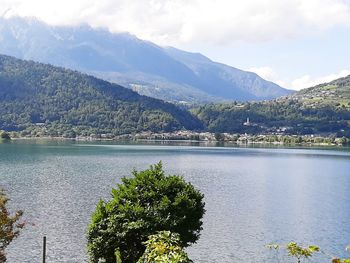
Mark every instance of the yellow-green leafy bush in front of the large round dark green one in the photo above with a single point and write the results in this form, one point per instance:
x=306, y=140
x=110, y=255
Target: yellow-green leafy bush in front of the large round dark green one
x=164, y=247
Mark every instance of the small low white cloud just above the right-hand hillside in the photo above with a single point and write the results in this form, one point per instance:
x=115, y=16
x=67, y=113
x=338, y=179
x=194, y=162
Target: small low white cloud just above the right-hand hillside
x=308, y=81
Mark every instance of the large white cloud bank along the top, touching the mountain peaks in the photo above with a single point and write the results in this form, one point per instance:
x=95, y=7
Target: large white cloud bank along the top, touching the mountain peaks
x=188, y=21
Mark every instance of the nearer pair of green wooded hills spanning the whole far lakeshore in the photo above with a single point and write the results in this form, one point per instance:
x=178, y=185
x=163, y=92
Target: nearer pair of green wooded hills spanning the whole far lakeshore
x=43, y=100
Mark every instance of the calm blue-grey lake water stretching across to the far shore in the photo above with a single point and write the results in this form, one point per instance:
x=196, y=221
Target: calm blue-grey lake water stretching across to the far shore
x=254, y=196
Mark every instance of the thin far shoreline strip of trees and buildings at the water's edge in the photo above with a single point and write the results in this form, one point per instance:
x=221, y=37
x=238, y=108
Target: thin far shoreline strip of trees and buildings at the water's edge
x=207, y=138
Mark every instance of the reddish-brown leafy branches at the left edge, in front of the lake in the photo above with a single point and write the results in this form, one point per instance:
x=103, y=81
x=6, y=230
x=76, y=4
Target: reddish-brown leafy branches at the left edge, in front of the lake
x=9, y=225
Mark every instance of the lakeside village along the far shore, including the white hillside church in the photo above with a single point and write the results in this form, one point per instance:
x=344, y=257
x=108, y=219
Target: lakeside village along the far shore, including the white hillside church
x=274, y=136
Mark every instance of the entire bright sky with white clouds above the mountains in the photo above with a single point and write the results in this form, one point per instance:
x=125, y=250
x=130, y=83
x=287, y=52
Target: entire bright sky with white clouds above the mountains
x=295, y=43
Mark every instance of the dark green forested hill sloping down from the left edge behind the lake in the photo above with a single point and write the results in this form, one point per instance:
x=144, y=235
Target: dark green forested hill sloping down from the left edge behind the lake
x=68, y=103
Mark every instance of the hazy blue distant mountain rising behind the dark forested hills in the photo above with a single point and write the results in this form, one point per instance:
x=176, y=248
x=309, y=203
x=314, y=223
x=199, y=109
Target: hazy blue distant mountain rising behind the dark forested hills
x=161, y=72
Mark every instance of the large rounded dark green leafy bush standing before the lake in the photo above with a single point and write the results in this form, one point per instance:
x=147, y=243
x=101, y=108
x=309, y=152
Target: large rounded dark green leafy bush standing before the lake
x=141, y=206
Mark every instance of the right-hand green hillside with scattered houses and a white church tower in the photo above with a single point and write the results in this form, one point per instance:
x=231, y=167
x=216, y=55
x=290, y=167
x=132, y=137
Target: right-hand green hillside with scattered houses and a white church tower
x=323, y=109
